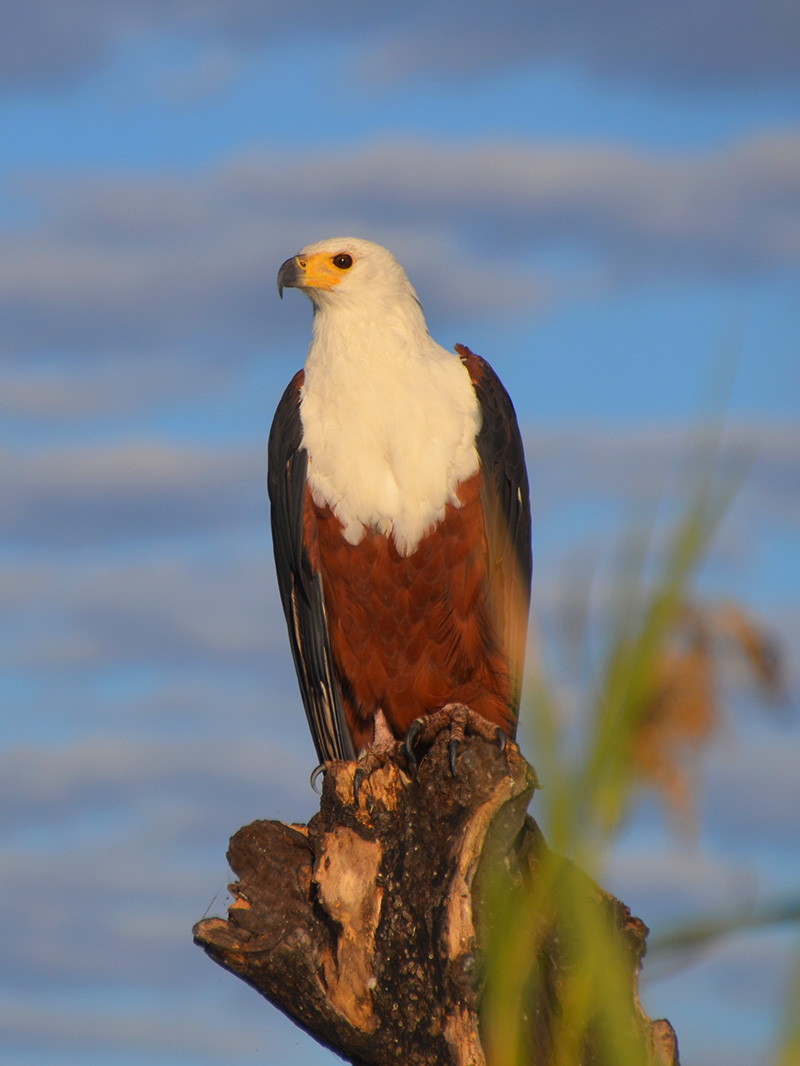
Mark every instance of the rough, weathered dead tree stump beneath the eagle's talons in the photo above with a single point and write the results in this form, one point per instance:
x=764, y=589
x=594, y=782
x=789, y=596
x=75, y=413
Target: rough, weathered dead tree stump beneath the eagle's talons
x=365, y=927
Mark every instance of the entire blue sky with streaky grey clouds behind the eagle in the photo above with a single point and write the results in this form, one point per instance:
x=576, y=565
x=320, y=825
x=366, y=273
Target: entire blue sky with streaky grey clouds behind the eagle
x=603, y=203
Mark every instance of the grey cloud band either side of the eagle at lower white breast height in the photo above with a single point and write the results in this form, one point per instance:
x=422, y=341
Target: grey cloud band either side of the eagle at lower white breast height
x=140, y=487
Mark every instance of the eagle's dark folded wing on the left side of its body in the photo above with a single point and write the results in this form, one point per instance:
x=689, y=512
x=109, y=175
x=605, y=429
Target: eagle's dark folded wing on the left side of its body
x=301, y=588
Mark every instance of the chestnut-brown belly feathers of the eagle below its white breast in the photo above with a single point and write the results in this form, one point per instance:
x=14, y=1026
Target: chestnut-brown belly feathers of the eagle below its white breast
x=410, y=635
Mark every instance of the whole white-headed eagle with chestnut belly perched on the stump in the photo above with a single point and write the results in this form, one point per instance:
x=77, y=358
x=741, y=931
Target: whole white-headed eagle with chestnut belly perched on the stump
x=401, y=516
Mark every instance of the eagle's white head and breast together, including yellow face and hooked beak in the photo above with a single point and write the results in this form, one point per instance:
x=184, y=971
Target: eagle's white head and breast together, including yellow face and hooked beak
x=390, y=417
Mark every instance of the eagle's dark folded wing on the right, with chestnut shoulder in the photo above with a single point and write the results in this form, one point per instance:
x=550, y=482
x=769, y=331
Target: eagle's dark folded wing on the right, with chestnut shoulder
x=506, y=503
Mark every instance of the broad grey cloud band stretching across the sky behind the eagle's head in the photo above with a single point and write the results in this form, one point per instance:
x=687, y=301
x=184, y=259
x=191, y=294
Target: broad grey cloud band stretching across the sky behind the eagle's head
x=122, y=264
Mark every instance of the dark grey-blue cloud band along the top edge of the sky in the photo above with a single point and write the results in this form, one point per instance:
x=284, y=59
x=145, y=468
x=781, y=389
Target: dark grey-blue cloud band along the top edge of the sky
x=686, y=45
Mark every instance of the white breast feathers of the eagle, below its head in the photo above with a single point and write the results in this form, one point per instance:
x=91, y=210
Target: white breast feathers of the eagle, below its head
x=390, y=423
